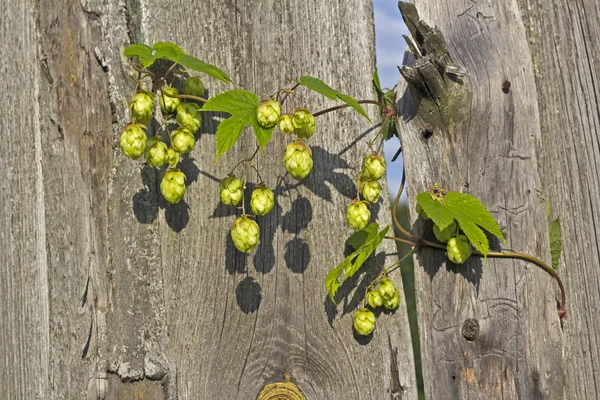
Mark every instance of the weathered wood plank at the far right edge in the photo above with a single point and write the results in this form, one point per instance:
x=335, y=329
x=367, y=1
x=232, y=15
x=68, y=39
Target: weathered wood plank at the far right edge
x=565, y=48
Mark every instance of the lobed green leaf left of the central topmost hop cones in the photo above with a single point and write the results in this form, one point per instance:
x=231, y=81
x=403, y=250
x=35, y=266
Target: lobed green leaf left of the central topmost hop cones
x=242, y=106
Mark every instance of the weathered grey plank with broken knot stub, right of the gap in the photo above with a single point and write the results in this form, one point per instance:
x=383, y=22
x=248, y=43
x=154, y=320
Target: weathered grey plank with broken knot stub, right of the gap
x=484, y=142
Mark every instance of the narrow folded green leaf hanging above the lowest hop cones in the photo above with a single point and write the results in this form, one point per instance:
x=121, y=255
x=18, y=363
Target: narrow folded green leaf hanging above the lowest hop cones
x=354, y=261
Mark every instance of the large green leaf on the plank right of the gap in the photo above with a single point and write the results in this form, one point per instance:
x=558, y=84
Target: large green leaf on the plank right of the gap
x=468, y=211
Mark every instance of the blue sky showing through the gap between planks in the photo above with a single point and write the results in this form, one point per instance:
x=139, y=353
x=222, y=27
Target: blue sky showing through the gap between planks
x=390, y=46
